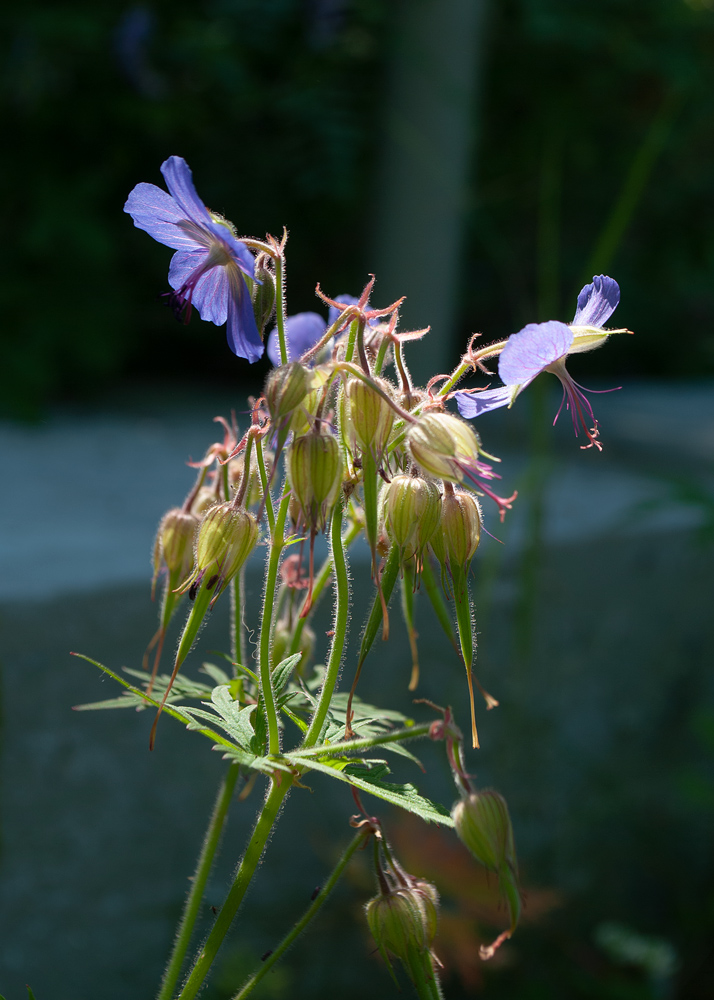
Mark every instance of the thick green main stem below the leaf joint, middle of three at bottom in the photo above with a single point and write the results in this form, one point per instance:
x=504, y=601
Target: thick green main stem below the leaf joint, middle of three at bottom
x=245, y=872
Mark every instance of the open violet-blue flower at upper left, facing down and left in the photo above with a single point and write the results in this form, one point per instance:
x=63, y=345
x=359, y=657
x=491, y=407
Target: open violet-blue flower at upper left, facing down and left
x=210, y=267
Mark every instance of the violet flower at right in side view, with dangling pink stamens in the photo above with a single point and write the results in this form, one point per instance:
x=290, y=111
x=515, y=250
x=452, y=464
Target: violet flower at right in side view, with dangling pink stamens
x=541, y=347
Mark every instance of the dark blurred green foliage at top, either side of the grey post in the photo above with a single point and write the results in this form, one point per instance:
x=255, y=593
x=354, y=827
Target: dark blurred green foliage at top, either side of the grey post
x=594, y=152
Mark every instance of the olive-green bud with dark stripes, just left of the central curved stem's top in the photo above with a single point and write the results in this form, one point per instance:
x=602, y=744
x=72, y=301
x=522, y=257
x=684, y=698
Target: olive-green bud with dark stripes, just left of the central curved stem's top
x=315, y=473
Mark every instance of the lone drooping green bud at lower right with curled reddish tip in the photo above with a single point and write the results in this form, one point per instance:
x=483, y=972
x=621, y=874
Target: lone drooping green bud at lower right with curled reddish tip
x=484, y=826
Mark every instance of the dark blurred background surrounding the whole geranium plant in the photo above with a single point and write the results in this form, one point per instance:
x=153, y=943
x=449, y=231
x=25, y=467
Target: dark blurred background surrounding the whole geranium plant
x=486, y=159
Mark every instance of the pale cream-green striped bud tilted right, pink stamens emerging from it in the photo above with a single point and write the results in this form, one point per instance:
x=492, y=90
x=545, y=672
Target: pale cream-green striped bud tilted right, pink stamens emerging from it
x=443, y=445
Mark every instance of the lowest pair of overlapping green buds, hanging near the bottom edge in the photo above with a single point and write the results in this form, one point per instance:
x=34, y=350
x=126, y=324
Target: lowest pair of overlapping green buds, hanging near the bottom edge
x=403, y=919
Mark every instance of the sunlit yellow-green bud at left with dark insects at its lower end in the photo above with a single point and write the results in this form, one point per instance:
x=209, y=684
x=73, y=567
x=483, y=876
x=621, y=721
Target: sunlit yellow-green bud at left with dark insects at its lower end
x=226, y=538
